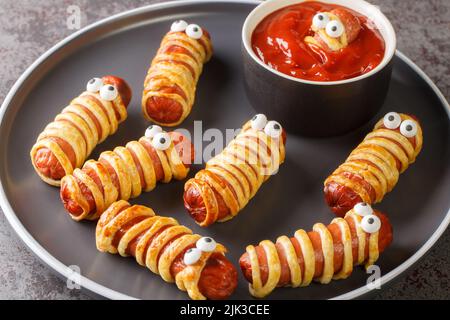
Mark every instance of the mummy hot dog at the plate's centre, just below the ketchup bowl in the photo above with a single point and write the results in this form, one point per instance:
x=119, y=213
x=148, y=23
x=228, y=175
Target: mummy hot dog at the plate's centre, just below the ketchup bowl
x=233, y=177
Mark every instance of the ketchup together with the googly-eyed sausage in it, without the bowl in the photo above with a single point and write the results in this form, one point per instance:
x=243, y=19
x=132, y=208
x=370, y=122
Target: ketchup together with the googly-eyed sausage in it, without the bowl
x=318, y=42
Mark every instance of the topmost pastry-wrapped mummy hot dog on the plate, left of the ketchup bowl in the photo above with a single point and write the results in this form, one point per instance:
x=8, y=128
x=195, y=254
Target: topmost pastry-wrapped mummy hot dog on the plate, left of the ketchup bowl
x=169, y=88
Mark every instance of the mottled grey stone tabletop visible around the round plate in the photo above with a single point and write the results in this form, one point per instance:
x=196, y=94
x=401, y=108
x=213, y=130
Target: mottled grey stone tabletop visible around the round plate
x=30, y=27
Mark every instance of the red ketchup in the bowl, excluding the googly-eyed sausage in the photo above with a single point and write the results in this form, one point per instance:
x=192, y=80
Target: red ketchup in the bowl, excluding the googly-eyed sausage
x=278, y=41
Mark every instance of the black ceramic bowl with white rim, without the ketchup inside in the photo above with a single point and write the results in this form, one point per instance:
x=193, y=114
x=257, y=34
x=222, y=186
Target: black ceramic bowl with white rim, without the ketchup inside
x=313, y=108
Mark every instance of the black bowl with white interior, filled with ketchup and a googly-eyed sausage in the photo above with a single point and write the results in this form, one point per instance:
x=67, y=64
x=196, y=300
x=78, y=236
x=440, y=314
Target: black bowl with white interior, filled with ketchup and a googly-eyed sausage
x=320, y=68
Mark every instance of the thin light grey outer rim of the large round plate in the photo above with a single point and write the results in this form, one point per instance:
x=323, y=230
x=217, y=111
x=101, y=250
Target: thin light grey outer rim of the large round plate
x=106, y=292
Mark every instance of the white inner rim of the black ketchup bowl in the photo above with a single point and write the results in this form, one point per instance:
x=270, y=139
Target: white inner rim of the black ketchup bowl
x=270, y=6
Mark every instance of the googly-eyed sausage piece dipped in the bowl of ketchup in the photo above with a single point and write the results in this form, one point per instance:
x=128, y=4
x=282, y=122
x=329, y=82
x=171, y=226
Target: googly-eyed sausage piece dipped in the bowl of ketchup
x=334, y=30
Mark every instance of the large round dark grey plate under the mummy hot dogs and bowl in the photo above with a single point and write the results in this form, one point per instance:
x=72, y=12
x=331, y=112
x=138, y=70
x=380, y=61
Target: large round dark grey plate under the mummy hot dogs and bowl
x=123, y=45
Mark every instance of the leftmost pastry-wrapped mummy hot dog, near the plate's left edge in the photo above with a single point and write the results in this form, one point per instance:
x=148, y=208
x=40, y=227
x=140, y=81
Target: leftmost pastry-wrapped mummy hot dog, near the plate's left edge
x=89, y=119
